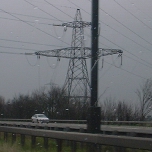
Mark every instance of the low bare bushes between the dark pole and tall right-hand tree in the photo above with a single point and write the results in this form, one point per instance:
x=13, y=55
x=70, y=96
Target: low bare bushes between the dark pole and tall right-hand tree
x=112, y=110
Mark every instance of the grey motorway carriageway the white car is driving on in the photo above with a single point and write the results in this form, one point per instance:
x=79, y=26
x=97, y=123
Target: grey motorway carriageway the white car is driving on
x=105, y=129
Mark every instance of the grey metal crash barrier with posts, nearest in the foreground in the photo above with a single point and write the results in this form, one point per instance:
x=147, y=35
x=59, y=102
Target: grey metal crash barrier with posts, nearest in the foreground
x=93, y=141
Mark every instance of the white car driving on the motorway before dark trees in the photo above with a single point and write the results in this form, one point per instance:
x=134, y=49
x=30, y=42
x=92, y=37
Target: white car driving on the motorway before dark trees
x=40, y=118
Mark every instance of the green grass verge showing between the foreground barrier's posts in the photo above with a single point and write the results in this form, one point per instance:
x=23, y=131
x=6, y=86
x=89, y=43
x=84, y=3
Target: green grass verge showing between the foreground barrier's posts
x=16, y=147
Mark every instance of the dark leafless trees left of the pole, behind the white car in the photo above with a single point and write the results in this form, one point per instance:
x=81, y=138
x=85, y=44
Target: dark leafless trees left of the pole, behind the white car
x=52, y=103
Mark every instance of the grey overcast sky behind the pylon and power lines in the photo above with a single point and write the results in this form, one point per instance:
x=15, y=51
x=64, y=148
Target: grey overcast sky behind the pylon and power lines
x=26, y=26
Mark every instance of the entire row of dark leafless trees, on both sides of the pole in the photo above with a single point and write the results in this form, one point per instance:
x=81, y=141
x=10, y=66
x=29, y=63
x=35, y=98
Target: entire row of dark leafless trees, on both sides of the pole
x=55, y=105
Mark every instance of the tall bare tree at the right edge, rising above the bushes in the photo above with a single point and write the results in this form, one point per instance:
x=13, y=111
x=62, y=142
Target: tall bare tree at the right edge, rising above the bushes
x=144, y=94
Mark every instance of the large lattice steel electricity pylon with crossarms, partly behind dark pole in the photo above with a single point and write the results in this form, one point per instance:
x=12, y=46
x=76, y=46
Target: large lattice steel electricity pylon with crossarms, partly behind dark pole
x=77, y=82
